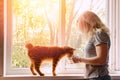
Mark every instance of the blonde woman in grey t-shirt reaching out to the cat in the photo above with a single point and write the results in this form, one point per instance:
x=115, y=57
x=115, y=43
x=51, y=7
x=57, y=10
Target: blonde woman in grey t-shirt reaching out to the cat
x=97, y=46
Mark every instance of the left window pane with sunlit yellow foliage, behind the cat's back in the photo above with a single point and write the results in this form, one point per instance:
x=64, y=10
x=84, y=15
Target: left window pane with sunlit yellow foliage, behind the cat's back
x=34, y=21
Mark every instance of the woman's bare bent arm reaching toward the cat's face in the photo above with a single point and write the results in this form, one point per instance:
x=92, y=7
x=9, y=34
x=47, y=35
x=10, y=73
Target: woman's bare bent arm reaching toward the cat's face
x=99, y=59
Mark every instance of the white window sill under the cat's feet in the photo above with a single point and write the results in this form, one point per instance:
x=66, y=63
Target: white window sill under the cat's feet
x=49, y=77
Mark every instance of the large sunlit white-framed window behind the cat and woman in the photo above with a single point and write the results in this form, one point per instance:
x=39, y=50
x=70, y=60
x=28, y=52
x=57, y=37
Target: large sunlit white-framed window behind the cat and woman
x=51, y=22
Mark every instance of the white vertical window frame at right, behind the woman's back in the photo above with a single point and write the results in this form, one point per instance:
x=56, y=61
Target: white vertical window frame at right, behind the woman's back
x=114, y=24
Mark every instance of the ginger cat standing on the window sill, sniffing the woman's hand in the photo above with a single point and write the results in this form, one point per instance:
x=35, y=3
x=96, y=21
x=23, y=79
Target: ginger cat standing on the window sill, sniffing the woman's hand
x=37, y=54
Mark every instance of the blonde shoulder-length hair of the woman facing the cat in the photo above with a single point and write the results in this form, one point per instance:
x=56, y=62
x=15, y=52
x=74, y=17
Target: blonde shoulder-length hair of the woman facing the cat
x=90, y=23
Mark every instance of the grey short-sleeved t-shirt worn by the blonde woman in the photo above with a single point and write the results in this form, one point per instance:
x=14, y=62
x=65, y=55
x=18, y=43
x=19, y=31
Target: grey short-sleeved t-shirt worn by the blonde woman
x=93, y=71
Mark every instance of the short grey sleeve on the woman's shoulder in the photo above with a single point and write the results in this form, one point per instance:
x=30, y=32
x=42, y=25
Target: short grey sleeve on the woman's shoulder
x=101, y=38
